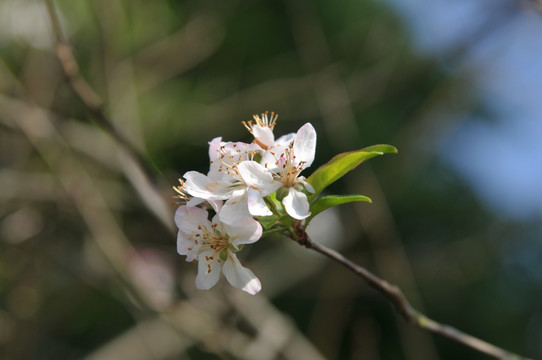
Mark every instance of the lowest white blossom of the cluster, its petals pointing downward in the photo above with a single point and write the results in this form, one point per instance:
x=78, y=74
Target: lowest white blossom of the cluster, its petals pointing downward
x=213, y=245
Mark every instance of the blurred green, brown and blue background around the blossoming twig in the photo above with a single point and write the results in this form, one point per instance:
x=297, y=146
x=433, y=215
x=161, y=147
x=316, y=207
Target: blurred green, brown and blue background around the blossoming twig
x=88, y=264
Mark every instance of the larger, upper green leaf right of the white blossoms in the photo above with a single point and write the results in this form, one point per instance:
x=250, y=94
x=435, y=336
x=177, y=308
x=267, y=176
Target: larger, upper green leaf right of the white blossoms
x=341, y=164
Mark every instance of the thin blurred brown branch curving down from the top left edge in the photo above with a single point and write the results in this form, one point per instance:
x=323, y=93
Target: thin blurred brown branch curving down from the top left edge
x=86, y=94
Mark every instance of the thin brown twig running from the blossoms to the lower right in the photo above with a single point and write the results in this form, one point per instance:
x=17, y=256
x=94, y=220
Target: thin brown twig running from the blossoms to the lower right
x=407, y=311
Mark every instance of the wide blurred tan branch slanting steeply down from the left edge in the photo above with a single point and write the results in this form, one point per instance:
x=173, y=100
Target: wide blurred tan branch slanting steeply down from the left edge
x=77, y=183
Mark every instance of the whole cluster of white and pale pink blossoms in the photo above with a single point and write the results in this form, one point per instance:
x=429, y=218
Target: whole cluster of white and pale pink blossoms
x=244, y=181
